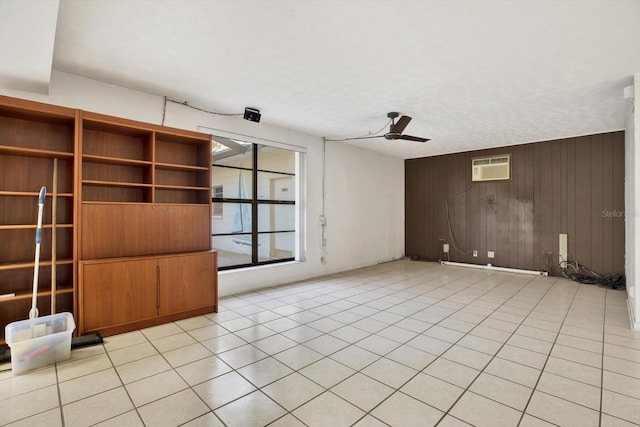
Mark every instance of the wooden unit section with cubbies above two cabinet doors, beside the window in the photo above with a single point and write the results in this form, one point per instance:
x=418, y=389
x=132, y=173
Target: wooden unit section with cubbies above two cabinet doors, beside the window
x=144, y=214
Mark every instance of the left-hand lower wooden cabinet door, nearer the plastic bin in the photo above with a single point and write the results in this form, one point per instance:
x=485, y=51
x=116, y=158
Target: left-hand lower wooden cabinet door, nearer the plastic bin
x=119, y=292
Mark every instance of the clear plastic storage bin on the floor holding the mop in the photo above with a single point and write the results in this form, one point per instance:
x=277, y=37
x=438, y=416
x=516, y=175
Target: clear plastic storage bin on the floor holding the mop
x=40, y=341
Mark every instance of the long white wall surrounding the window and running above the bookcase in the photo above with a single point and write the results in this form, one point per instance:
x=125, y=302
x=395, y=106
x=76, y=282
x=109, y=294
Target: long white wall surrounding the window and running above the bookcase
x=364, y=205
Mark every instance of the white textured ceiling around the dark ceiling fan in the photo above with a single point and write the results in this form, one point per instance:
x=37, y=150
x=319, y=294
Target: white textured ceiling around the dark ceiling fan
x=472, y=74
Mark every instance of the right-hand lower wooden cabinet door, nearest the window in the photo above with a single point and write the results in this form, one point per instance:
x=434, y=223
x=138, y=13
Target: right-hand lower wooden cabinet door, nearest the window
x=187, y=282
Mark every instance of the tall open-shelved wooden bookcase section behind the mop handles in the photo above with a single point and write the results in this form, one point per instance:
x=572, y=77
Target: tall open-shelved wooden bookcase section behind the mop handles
x=32, y=135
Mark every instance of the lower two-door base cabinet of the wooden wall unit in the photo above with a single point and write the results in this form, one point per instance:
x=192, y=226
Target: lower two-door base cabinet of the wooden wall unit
x=124, y=294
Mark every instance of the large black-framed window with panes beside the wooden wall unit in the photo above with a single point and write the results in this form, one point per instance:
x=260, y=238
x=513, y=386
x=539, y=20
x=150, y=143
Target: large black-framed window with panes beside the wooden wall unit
x=254, y=203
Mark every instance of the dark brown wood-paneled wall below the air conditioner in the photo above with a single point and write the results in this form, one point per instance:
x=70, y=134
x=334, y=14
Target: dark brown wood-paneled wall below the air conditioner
x=573, y=186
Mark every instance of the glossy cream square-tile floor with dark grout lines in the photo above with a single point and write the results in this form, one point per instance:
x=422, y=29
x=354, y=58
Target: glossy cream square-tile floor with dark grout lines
x=401, y=344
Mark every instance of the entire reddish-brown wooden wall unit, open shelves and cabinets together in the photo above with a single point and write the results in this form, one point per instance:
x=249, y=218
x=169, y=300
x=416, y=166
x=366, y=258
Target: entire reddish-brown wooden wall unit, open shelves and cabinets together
x=133, y=218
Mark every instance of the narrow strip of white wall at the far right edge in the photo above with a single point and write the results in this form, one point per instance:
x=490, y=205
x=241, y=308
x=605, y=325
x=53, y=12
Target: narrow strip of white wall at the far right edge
x=632, y=207
